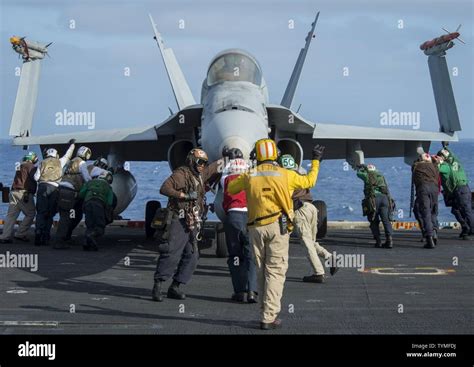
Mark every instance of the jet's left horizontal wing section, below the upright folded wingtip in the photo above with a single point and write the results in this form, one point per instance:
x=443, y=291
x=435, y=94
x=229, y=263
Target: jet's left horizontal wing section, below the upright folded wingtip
x=146, y=143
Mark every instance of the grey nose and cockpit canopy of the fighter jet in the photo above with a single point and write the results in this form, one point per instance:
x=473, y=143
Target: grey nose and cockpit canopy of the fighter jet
x=234, y=105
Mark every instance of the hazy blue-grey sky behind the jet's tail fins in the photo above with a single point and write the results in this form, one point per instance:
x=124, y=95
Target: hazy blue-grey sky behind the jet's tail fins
x=387, y=70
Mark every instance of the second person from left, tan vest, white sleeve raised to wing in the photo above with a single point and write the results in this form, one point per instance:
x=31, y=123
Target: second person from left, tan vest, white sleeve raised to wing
x=48, y=175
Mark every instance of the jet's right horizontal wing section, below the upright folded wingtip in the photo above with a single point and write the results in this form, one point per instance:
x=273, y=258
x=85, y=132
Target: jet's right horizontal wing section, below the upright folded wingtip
x=342, y=141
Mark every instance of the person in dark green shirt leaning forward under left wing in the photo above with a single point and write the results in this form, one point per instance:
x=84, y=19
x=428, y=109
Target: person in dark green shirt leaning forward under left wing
x=98, y=197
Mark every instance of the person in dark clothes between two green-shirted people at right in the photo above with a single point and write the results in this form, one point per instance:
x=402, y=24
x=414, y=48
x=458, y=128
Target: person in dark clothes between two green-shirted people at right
x=426, y=177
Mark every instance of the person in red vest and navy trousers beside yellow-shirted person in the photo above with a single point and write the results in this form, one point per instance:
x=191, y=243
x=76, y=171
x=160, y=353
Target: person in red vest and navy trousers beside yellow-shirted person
x=240, y=261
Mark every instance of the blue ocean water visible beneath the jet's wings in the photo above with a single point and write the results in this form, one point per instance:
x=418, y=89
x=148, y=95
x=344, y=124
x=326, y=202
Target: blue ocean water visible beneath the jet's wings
x=337, y=183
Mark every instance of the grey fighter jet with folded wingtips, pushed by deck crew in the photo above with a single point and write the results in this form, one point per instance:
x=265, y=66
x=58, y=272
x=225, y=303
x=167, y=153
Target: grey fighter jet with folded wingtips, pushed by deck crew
x=235, y=111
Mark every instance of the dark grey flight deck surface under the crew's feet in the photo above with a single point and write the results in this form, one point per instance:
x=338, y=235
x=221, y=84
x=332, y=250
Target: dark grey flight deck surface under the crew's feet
x=406, y=290
